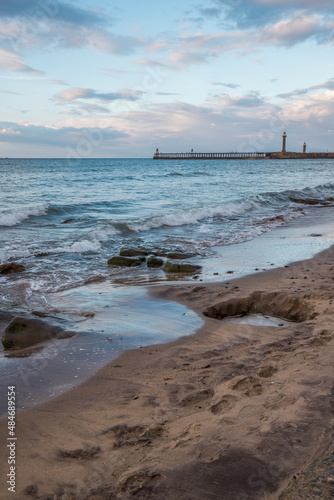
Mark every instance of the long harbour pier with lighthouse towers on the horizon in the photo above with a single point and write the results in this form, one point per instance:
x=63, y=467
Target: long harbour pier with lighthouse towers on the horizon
x=278, y=155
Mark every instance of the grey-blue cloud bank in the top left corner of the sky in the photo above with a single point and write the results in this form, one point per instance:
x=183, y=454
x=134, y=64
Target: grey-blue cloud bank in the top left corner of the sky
x=49, y=23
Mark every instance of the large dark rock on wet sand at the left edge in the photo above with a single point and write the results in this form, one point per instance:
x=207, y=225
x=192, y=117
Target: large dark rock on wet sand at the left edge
x=25, y=332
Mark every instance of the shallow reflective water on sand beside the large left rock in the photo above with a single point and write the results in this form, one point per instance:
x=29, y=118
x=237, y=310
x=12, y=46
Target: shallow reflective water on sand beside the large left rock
x=109, y=321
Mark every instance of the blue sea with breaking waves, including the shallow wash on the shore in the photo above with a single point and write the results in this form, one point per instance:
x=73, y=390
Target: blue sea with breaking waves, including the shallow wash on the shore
x=64, y=219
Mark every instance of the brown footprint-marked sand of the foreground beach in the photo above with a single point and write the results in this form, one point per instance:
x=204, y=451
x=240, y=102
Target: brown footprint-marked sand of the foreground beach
x=231, y=412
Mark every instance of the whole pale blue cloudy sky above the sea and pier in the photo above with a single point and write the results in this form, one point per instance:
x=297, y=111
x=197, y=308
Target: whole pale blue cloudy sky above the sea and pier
x=104, y=79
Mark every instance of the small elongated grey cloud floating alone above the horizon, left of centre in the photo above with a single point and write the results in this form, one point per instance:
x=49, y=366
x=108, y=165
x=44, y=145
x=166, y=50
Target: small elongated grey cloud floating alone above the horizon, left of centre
x=78, y=93
